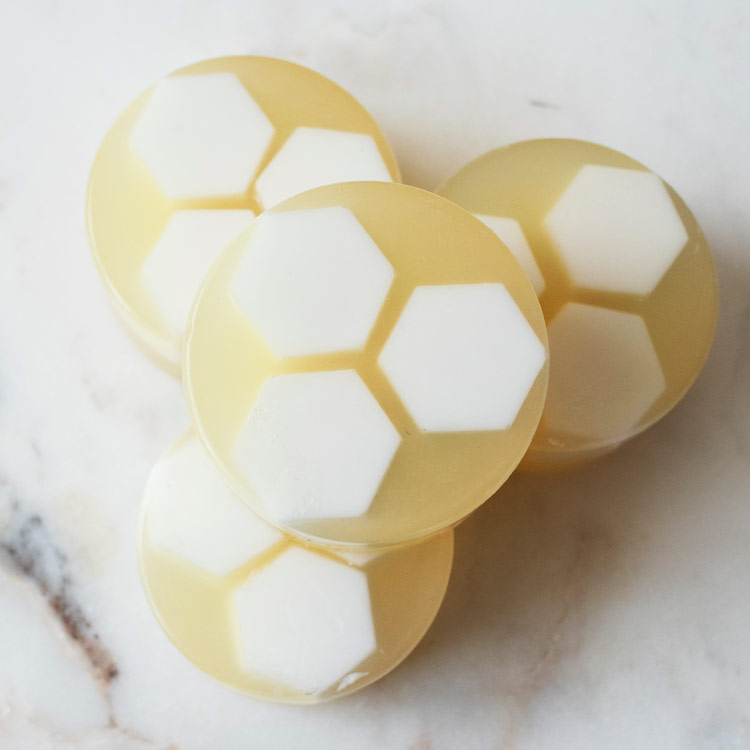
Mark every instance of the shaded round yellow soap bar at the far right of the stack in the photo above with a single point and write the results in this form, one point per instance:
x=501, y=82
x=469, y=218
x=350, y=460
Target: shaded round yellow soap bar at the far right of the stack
x=624, y=277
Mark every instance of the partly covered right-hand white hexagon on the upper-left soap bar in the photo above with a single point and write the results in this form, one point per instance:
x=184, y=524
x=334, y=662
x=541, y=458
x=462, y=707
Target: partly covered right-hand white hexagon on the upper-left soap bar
x=312, y=157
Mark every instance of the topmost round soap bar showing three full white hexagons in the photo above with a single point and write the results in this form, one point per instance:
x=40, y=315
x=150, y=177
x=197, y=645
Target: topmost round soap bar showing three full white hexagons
x=367, y=363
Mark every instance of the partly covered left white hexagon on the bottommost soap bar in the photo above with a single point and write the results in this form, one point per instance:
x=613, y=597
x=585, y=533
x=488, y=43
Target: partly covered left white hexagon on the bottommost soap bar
x=191, y=512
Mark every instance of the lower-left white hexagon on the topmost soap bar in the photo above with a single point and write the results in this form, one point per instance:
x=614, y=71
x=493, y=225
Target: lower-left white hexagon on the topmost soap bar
x=316, y=445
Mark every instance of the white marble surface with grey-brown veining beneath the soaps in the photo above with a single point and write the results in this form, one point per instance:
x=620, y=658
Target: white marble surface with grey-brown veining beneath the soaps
x=605, y=608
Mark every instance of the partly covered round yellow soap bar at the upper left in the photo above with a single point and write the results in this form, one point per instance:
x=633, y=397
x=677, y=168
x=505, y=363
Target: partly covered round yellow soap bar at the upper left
x=194, y=158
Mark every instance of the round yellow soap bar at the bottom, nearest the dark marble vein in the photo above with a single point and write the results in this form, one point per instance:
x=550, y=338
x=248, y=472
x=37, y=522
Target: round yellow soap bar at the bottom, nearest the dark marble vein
x=268, y=615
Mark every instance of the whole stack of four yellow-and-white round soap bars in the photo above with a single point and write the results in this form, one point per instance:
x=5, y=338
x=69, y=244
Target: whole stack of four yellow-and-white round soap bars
x=365, y=362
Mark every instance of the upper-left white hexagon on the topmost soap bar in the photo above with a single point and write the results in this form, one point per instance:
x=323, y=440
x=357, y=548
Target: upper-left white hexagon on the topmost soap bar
x=312, y=281
